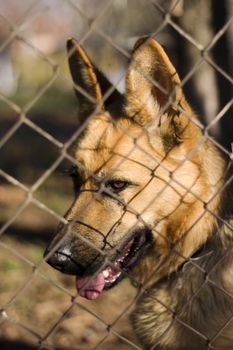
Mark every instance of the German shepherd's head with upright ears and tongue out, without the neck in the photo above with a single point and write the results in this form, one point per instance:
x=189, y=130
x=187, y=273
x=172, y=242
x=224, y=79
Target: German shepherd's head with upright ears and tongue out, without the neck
x=143, y=178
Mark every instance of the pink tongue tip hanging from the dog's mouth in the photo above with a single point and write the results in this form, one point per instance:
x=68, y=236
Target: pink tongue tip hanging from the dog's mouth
x=90, y=287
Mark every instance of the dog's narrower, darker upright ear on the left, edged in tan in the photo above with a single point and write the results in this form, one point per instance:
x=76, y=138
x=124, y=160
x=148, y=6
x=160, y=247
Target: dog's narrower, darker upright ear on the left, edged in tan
x=90, y=84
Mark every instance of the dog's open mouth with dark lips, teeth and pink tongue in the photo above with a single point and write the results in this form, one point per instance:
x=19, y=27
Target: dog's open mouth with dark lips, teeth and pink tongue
x=90, y=287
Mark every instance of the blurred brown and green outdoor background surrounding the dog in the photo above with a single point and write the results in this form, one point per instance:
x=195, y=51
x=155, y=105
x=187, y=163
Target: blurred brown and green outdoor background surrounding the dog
x=38, y=117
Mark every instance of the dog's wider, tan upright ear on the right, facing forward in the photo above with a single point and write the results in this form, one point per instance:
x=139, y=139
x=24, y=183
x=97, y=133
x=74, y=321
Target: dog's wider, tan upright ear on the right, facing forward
x=152, y=84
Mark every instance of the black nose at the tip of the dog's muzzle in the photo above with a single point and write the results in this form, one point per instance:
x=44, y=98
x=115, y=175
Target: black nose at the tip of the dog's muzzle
x=63, y=261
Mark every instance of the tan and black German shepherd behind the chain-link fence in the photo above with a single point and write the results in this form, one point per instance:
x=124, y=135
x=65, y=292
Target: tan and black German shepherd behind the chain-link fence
x=149, y=204
